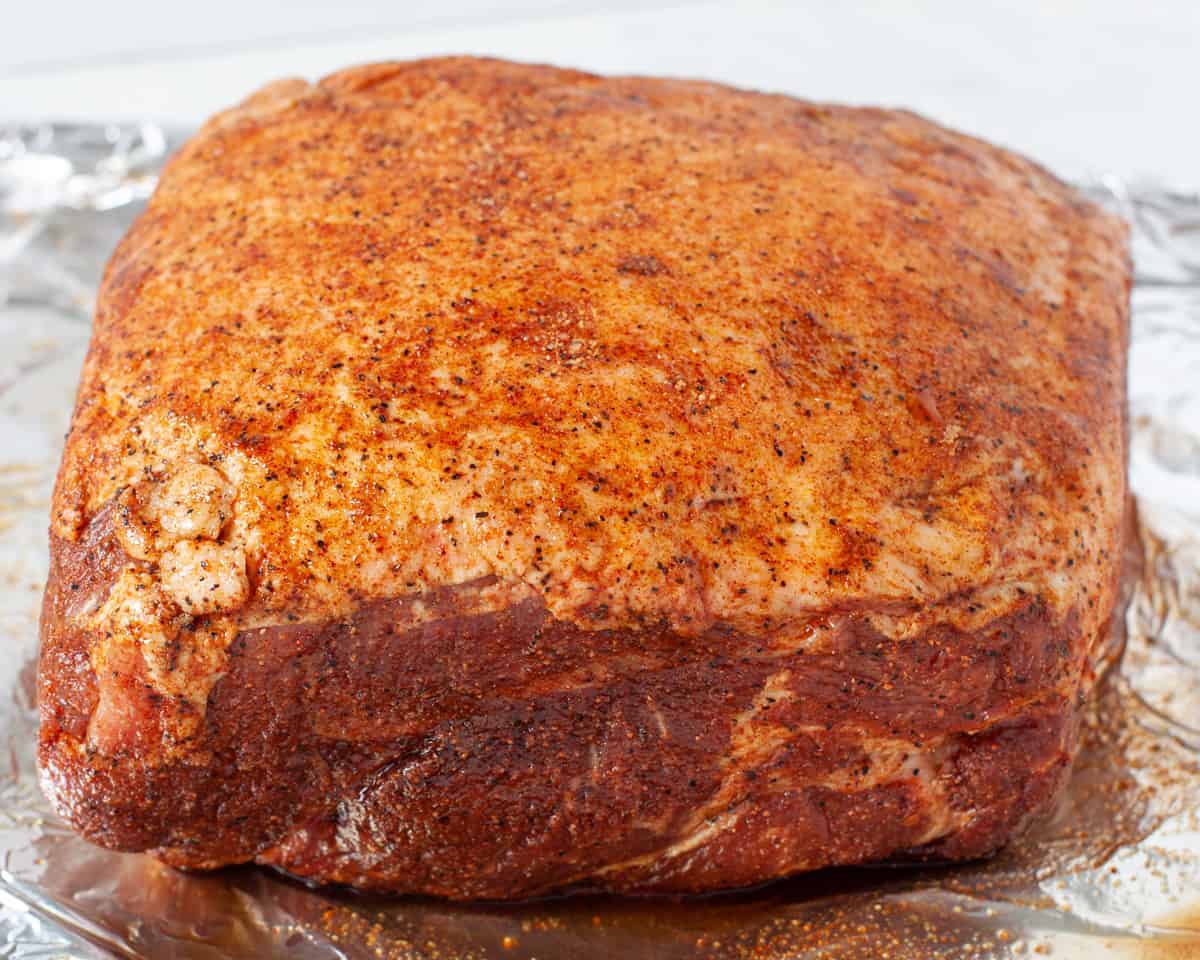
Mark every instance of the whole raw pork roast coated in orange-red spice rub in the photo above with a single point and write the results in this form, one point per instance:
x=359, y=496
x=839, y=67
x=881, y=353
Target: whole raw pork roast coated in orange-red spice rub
x=493, y=479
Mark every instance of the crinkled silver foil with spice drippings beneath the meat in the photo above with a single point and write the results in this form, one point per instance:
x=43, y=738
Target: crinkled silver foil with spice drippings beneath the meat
x=1115, y=873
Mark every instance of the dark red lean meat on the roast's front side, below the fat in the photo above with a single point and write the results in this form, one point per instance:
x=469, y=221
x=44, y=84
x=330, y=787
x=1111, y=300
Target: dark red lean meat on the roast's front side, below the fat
x=509, y=754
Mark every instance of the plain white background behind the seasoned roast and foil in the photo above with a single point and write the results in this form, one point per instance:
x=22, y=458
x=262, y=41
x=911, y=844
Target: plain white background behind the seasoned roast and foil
x=1087, y=88
